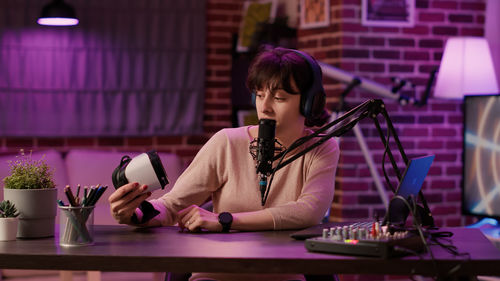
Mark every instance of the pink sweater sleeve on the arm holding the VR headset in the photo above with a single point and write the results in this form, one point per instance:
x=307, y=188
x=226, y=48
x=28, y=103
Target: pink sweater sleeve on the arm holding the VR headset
x=203, y=176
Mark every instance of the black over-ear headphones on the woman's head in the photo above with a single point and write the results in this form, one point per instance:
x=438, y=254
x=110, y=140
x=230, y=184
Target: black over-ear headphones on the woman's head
x=315, y=93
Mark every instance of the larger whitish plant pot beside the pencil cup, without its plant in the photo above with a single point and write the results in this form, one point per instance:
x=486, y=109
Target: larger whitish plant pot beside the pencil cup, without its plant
x=37, y=211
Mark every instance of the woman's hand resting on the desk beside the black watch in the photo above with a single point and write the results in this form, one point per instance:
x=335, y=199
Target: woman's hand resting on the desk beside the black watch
x=195, y=219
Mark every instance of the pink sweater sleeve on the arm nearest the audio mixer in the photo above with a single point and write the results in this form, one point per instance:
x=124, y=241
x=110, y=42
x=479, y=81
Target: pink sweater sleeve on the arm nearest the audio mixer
x=317, y=191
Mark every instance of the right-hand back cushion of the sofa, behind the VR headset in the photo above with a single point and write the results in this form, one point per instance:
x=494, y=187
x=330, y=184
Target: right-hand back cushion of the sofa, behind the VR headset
x=92, y=167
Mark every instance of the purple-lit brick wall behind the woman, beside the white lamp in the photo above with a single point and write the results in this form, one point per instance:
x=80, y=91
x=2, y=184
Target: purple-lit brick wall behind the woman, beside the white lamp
x=379, y=53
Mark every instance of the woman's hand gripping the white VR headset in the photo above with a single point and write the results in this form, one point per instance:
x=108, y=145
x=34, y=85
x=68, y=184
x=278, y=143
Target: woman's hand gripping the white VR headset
x=125, y=200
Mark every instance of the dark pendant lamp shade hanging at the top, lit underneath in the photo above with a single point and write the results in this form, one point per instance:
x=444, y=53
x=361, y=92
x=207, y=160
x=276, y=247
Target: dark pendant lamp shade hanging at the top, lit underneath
x=58, y=13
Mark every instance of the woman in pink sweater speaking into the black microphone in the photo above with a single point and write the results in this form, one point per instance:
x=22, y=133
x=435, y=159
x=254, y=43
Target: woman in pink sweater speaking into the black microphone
x=288, y=89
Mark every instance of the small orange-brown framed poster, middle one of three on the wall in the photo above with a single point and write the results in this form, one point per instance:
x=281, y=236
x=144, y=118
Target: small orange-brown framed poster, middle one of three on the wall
x=314, y=13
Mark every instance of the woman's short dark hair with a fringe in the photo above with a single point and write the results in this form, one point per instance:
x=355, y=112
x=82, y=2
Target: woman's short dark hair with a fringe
x=274, y=68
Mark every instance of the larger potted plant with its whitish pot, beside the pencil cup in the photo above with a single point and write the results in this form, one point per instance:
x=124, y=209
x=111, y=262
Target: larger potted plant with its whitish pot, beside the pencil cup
x=30, y=186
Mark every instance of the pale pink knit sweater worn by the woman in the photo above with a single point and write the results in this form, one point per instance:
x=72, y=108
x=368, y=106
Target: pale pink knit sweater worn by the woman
x=224, y=171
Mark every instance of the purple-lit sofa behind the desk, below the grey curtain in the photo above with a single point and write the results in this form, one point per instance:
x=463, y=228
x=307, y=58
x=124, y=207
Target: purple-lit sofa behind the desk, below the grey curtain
x=91, y=167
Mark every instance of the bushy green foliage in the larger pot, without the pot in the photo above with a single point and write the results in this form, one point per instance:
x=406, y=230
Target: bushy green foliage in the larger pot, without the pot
x=26, y=173
